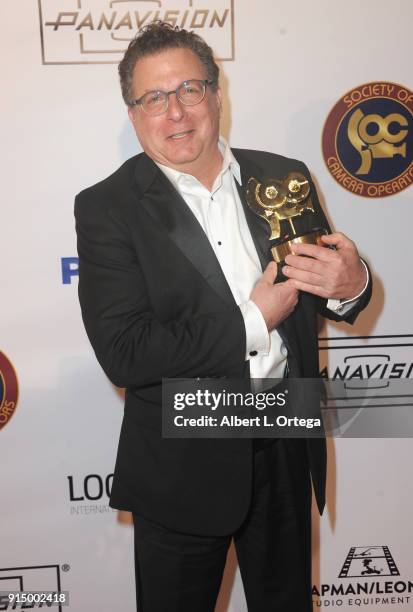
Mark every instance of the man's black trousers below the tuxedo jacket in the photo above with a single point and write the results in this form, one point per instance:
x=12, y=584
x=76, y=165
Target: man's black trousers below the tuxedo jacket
x=178, y=572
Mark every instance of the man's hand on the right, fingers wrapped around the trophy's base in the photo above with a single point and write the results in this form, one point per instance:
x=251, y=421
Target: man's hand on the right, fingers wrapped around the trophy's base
x=326, y=272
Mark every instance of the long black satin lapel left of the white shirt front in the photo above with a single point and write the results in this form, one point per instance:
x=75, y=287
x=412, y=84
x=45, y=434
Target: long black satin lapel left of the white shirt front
x=168, y=209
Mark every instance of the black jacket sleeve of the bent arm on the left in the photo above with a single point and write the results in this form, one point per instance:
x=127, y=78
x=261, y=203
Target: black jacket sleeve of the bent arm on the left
x=133, y=347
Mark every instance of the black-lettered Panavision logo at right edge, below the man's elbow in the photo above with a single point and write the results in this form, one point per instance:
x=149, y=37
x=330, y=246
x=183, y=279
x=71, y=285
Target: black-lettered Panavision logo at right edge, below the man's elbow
x=369, y=385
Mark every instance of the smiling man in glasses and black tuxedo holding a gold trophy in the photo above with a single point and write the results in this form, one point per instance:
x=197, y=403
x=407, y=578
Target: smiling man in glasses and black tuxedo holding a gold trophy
x=172, y=285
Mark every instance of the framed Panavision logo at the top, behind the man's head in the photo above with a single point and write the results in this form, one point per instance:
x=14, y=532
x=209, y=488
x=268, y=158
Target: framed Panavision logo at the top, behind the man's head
x=99, y=31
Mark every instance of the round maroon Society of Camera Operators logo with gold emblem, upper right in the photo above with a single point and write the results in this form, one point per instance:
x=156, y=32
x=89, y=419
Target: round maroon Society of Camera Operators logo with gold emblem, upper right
x=368, y=140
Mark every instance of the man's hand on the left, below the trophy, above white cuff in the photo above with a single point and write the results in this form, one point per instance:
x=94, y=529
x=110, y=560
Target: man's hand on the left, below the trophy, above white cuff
x=275, y=302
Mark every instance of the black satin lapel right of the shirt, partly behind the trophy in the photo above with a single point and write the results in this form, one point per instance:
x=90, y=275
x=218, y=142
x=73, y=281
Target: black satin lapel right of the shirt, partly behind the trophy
x=260, y=231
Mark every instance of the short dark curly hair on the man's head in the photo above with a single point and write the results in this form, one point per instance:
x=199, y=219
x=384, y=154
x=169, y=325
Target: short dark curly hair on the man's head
x=159, y=36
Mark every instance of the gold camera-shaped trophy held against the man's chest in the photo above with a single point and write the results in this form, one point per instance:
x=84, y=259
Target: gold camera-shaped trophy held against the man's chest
x=280, y=203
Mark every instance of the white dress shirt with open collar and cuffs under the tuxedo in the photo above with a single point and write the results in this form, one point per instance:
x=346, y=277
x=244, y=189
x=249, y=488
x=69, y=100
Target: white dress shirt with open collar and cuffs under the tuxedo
x=221, y=215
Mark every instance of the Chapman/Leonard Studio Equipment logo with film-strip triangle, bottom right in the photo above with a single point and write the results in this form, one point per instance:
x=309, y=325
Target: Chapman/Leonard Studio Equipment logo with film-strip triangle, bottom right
x=369, y=577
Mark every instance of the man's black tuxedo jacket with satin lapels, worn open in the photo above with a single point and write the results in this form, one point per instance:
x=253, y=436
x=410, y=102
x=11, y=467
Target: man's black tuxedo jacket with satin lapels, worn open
x=155, y=303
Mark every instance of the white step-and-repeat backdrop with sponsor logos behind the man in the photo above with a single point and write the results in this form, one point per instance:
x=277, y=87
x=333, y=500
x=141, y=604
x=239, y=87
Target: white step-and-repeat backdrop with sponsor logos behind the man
x=326, y=82
